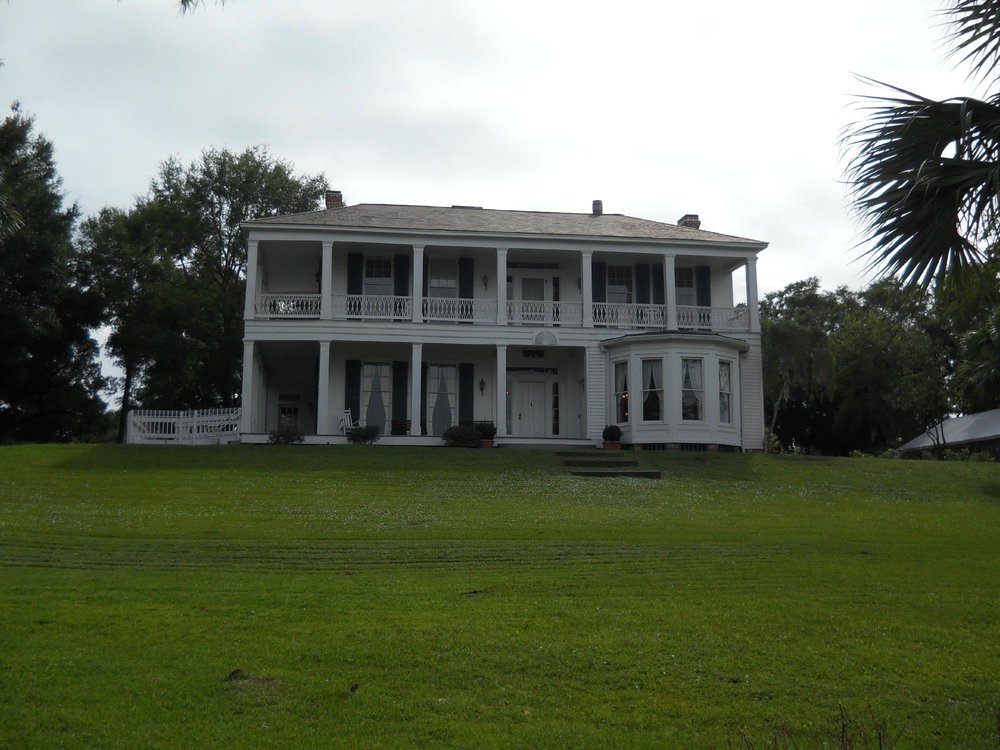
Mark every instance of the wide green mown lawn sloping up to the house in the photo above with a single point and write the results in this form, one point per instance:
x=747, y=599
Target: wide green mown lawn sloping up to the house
x=487, y=599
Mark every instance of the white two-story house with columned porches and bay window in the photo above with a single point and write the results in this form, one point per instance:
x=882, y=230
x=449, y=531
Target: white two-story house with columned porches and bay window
x=549, y=325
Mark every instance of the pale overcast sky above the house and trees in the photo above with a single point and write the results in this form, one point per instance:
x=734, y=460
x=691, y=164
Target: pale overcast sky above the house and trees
x=728, y=109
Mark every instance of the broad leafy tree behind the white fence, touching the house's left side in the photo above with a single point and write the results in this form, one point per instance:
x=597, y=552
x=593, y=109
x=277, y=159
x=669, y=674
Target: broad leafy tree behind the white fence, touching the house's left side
x=190, y=221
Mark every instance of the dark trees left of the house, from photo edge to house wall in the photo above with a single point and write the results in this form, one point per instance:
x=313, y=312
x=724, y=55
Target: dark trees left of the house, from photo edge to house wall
x=165, y=276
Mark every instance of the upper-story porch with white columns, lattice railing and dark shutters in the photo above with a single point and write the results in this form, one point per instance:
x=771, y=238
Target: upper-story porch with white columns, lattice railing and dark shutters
x=629, y=289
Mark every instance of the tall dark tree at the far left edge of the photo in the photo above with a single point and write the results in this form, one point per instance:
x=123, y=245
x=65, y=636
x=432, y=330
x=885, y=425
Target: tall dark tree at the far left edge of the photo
x=49, y=376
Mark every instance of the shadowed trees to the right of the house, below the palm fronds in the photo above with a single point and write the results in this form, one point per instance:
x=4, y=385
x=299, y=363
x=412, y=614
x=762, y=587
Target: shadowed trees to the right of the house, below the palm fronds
x=869, y=370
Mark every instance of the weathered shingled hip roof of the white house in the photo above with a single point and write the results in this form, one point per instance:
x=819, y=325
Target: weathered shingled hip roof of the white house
x=468, y=219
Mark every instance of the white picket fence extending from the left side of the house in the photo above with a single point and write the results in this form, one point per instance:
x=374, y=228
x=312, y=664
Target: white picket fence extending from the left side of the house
x=173, y=427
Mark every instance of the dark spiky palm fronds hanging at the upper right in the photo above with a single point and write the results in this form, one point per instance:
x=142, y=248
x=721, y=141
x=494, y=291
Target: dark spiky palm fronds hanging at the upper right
x=925, y=174
